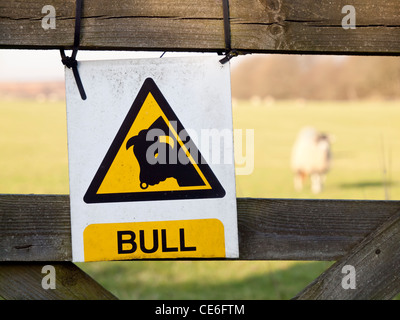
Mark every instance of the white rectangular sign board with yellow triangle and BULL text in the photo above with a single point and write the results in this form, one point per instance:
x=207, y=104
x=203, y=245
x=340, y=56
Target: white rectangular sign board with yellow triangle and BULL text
x=151, y=160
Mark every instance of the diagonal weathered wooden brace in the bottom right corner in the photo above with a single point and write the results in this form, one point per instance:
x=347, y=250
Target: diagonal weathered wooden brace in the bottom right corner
x=376, y=262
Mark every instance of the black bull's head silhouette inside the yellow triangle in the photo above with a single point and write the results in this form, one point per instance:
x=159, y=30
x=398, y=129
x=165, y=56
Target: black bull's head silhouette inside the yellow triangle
x=160, y=156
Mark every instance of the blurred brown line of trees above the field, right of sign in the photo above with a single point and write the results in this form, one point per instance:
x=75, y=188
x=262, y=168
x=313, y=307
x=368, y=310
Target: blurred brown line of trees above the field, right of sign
x=316, y=77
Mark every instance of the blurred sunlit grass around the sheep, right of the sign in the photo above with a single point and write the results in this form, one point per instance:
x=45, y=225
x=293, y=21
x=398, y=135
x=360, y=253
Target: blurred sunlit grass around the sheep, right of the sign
x=365, y=148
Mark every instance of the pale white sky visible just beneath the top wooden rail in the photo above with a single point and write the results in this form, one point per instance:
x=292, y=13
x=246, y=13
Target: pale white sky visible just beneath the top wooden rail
x=45, y=65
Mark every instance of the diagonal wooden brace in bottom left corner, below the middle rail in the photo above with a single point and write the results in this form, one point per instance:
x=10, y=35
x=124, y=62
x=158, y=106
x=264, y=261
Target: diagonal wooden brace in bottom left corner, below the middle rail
x=23, y=281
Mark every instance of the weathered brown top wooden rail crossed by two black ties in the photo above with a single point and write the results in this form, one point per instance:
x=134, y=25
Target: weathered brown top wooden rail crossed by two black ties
x=302, y=26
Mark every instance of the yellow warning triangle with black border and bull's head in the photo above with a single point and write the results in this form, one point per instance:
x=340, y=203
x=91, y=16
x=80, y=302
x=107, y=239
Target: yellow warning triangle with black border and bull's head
x=152, y=157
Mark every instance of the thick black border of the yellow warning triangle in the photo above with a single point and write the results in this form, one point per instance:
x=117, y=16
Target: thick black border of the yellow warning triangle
x=91, y=196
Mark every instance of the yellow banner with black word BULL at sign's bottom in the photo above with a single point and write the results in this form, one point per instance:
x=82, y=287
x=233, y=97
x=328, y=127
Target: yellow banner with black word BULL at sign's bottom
x=202, y=238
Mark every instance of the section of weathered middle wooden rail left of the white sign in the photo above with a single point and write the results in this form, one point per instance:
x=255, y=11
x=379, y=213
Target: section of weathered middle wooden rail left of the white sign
x=35, y=228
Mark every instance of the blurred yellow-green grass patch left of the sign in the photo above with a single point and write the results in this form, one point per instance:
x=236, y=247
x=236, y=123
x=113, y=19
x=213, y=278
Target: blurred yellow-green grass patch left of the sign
x=33, y=147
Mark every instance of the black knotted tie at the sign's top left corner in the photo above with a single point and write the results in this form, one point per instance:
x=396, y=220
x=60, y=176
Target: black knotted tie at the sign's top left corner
x=70, y=62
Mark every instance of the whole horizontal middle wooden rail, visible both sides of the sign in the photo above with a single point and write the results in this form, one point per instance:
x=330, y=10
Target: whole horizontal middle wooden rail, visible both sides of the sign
x=37, y=227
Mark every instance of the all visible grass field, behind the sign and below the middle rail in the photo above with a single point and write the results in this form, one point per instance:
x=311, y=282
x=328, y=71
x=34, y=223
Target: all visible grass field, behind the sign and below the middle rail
x=366, y=152
